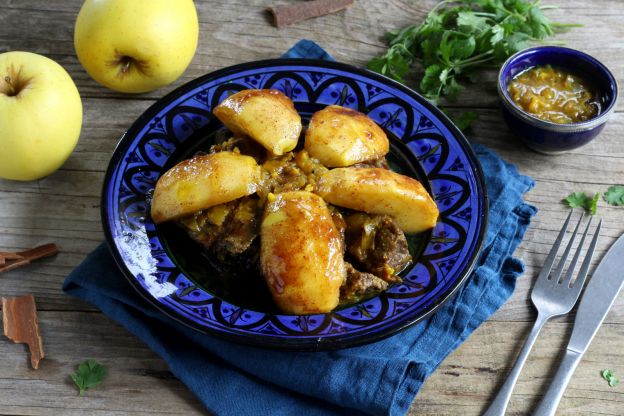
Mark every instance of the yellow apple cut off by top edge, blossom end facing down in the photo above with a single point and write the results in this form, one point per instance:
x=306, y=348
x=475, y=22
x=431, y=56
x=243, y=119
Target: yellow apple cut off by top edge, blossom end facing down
x=136, y=45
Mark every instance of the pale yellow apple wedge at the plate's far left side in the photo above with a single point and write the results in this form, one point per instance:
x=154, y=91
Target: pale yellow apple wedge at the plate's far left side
x=202, y=182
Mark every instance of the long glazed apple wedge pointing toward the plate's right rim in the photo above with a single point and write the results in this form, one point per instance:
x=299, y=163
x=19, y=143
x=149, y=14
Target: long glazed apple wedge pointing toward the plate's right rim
x=381, y=191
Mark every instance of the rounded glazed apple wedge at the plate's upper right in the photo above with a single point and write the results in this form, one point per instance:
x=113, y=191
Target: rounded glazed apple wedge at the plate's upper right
x=339, y=136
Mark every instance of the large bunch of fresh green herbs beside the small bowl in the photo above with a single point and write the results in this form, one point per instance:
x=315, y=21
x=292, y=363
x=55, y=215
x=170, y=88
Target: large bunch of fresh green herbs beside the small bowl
x=459, y=37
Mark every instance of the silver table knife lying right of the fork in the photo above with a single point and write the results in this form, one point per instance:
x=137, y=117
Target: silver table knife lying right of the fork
x=598, y=298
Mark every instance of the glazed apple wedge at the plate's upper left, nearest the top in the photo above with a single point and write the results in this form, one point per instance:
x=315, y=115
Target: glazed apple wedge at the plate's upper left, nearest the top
x=267, y=116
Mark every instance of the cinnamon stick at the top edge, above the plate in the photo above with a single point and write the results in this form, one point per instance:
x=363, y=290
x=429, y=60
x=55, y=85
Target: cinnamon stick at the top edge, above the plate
x=285, y=15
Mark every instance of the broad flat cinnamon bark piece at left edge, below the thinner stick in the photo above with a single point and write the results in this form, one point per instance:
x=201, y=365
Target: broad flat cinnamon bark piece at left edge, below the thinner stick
x=19, y=319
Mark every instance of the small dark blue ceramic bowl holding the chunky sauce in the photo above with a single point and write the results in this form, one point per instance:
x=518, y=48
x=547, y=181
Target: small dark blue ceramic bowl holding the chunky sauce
x=545, y=136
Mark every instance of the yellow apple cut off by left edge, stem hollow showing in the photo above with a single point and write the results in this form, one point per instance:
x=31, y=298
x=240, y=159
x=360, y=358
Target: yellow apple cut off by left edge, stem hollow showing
x=40, y=116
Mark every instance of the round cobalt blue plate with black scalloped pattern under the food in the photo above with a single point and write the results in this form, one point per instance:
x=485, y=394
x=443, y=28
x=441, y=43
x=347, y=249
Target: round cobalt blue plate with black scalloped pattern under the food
x=173, y=274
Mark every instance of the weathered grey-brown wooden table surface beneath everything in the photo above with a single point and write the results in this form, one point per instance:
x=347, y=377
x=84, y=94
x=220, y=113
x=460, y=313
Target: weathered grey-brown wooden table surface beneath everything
x=65, y=208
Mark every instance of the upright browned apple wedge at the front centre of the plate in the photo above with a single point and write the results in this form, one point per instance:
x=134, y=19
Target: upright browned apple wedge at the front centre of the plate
x=301, y=253
